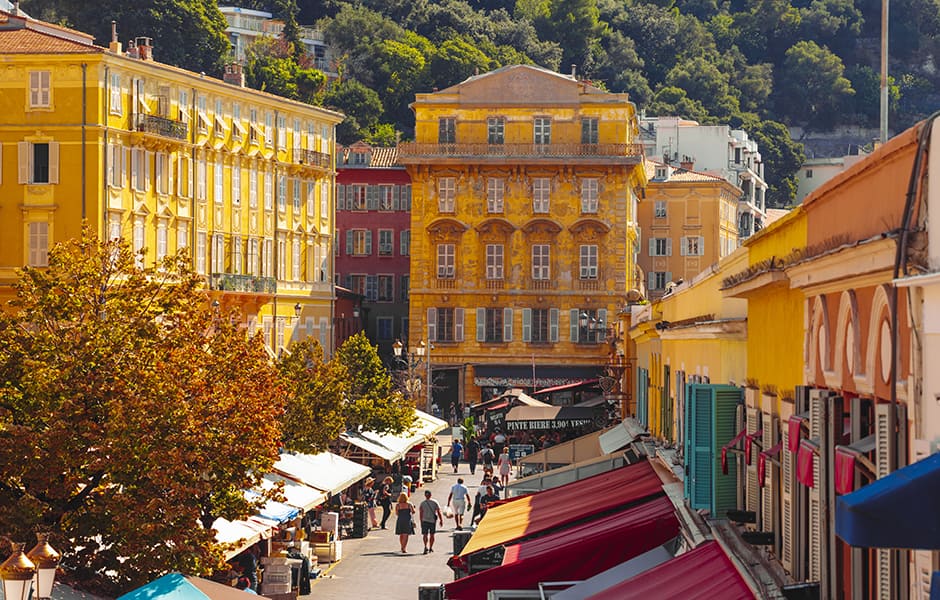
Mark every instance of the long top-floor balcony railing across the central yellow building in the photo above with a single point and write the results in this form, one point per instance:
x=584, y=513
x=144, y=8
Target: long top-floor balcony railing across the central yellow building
x=411, y=151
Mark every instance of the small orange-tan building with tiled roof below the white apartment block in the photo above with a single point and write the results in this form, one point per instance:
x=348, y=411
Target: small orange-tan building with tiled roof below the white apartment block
x=689, y=221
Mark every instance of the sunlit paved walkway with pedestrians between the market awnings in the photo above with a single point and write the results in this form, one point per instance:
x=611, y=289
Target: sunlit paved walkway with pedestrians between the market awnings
x=374, y=567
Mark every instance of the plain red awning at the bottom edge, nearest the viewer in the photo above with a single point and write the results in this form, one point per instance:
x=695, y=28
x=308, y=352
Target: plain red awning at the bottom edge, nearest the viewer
x=705, y=573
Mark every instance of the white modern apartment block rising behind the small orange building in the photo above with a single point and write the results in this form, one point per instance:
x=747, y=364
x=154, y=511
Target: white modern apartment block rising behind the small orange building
x=718, y=150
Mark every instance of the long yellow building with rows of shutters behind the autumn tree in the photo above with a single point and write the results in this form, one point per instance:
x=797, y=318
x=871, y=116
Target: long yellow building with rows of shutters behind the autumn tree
x=167, y=159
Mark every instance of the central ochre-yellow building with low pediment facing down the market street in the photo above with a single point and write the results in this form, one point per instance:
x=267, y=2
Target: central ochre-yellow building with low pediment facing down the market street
x=525, y=187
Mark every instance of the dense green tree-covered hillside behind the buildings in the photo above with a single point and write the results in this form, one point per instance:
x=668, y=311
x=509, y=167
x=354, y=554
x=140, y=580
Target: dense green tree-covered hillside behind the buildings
x=755, y=64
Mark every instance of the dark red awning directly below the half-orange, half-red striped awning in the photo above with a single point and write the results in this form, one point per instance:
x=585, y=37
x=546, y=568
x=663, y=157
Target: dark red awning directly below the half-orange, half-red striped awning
x=585, y=550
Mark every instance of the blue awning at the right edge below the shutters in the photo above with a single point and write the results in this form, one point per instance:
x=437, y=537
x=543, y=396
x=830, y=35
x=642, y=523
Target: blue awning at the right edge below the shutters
x=896, y=511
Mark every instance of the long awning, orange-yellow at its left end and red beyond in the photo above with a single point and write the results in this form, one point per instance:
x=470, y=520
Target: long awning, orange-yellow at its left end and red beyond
x=528, y=515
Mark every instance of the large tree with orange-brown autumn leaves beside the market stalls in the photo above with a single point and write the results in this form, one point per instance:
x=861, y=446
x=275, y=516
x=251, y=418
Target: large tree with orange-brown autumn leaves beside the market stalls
x=132, y=416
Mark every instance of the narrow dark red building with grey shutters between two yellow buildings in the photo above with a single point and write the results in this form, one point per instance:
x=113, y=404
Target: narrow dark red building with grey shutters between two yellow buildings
x=373, y=226
